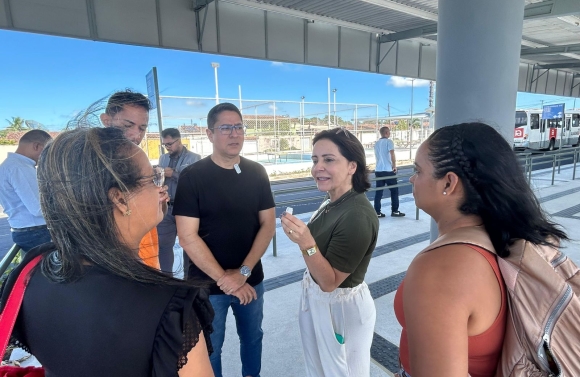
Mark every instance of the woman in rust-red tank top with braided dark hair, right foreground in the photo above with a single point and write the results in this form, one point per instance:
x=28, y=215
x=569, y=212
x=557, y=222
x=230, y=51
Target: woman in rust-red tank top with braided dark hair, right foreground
x=452, y=302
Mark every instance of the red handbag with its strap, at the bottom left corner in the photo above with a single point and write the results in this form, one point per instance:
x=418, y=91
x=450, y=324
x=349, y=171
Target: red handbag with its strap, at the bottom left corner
x=8, y=319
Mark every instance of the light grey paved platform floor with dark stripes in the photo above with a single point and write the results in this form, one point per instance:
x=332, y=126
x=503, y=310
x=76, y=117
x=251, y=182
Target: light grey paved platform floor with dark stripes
x=400, y=239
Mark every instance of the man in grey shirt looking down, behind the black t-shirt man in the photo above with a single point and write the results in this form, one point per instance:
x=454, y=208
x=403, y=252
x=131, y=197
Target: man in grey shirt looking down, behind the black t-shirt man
x=173, y=162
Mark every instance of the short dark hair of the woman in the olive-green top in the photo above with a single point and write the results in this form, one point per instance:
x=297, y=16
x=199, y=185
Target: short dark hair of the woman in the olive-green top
x=351, y=149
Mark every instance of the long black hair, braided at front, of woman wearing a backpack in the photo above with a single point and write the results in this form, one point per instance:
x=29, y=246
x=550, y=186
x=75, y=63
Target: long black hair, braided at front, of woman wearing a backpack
x=494, y=182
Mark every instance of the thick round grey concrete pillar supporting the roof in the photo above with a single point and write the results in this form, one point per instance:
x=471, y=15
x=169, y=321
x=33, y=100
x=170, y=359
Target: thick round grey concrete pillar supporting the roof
x=478, y=54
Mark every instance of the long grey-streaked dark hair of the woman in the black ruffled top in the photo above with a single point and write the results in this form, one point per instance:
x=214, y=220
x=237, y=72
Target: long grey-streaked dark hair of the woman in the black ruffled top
x=75, y=174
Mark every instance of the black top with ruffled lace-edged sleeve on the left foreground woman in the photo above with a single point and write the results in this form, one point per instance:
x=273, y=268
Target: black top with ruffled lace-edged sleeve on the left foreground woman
x=104, y=325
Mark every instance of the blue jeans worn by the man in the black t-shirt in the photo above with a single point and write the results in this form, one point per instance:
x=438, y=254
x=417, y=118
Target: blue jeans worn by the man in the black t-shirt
x=249, y=325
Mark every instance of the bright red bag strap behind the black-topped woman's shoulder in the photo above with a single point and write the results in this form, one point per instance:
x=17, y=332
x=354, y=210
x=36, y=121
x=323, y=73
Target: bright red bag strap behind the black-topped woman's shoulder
x=10, y=313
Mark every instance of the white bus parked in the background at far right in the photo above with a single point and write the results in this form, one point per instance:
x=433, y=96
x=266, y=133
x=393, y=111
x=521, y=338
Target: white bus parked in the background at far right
x=533, y=132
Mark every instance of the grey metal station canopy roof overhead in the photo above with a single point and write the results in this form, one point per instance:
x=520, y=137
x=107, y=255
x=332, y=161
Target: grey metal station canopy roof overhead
x=382, y=36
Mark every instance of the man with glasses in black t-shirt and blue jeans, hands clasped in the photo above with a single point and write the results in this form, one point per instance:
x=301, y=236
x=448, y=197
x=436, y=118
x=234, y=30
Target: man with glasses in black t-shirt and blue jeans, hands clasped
x=225, y=218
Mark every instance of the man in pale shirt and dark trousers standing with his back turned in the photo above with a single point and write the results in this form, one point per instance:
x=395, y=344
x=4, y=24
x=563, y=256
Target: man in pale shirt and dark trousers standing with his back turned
x=386, y=167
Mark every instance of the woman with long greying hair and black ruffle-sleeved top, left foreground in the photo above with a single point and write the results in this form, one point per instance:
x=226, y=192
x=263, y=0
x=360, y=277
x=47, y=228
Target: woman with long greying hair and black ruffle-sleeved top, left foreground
x=92, y=307
